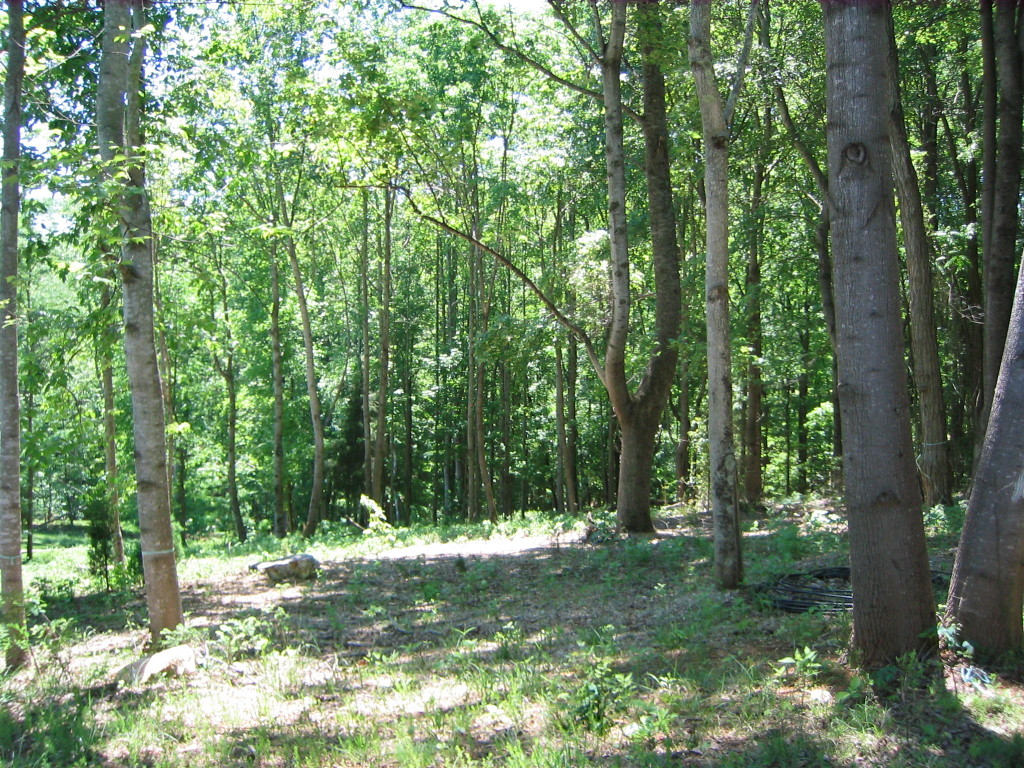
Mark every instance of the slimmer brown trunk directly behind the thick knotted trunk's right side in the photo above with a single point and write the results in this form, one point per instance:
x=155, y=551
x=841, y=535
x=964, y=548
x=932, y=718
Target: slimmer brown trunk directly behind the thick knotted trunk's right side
x=936, y=478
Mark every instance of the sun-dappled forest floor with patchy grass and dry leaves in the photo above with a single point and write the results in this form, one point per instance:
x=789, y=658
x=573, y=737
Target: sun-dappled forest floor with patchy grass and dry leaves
x=562, y=647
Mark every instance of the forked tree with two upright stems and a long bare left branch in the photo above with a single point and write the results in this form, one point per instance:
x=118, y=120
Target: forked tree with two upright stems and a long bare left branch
x=638, y=411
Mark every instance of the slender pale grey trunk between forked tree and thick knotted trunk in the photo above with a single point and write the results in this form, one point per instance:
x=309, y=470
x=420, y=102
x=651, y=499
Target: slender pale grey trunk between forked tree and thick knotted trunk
x=726, y=513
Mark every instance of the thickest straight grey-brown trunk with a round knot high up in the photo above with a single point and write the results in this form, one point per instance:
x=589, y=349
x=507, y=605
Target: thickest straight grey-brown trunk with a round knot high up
x=893, y=606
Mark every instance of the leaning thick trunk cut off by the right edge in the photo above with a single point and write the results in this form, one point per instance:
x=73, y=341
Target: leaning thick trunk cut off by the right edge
x=988, y=589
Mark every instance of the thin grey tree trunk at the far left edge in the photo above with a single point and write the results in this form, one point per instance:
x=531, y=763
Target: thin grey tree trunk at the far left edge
x=12, y=587
